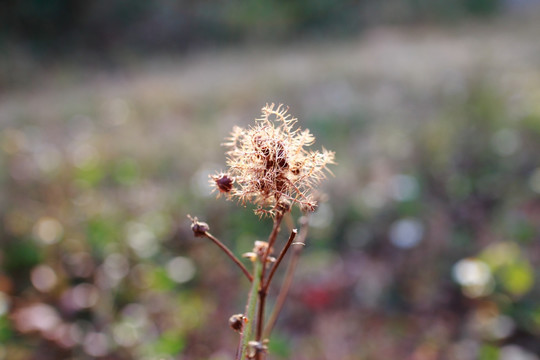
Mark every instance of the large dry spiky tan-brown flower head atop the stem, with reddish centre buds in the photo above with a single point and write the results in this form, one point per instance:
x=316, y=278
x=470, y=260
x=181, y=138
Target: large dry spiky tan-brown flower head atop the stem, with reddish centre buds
x=269, y=165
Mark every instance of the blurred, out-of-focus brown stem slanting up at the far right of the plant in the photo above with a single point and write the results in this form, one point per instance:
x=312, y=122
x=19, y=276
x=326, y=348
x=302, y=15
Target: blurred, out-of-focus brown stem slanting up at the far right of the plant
x=287, y=282
